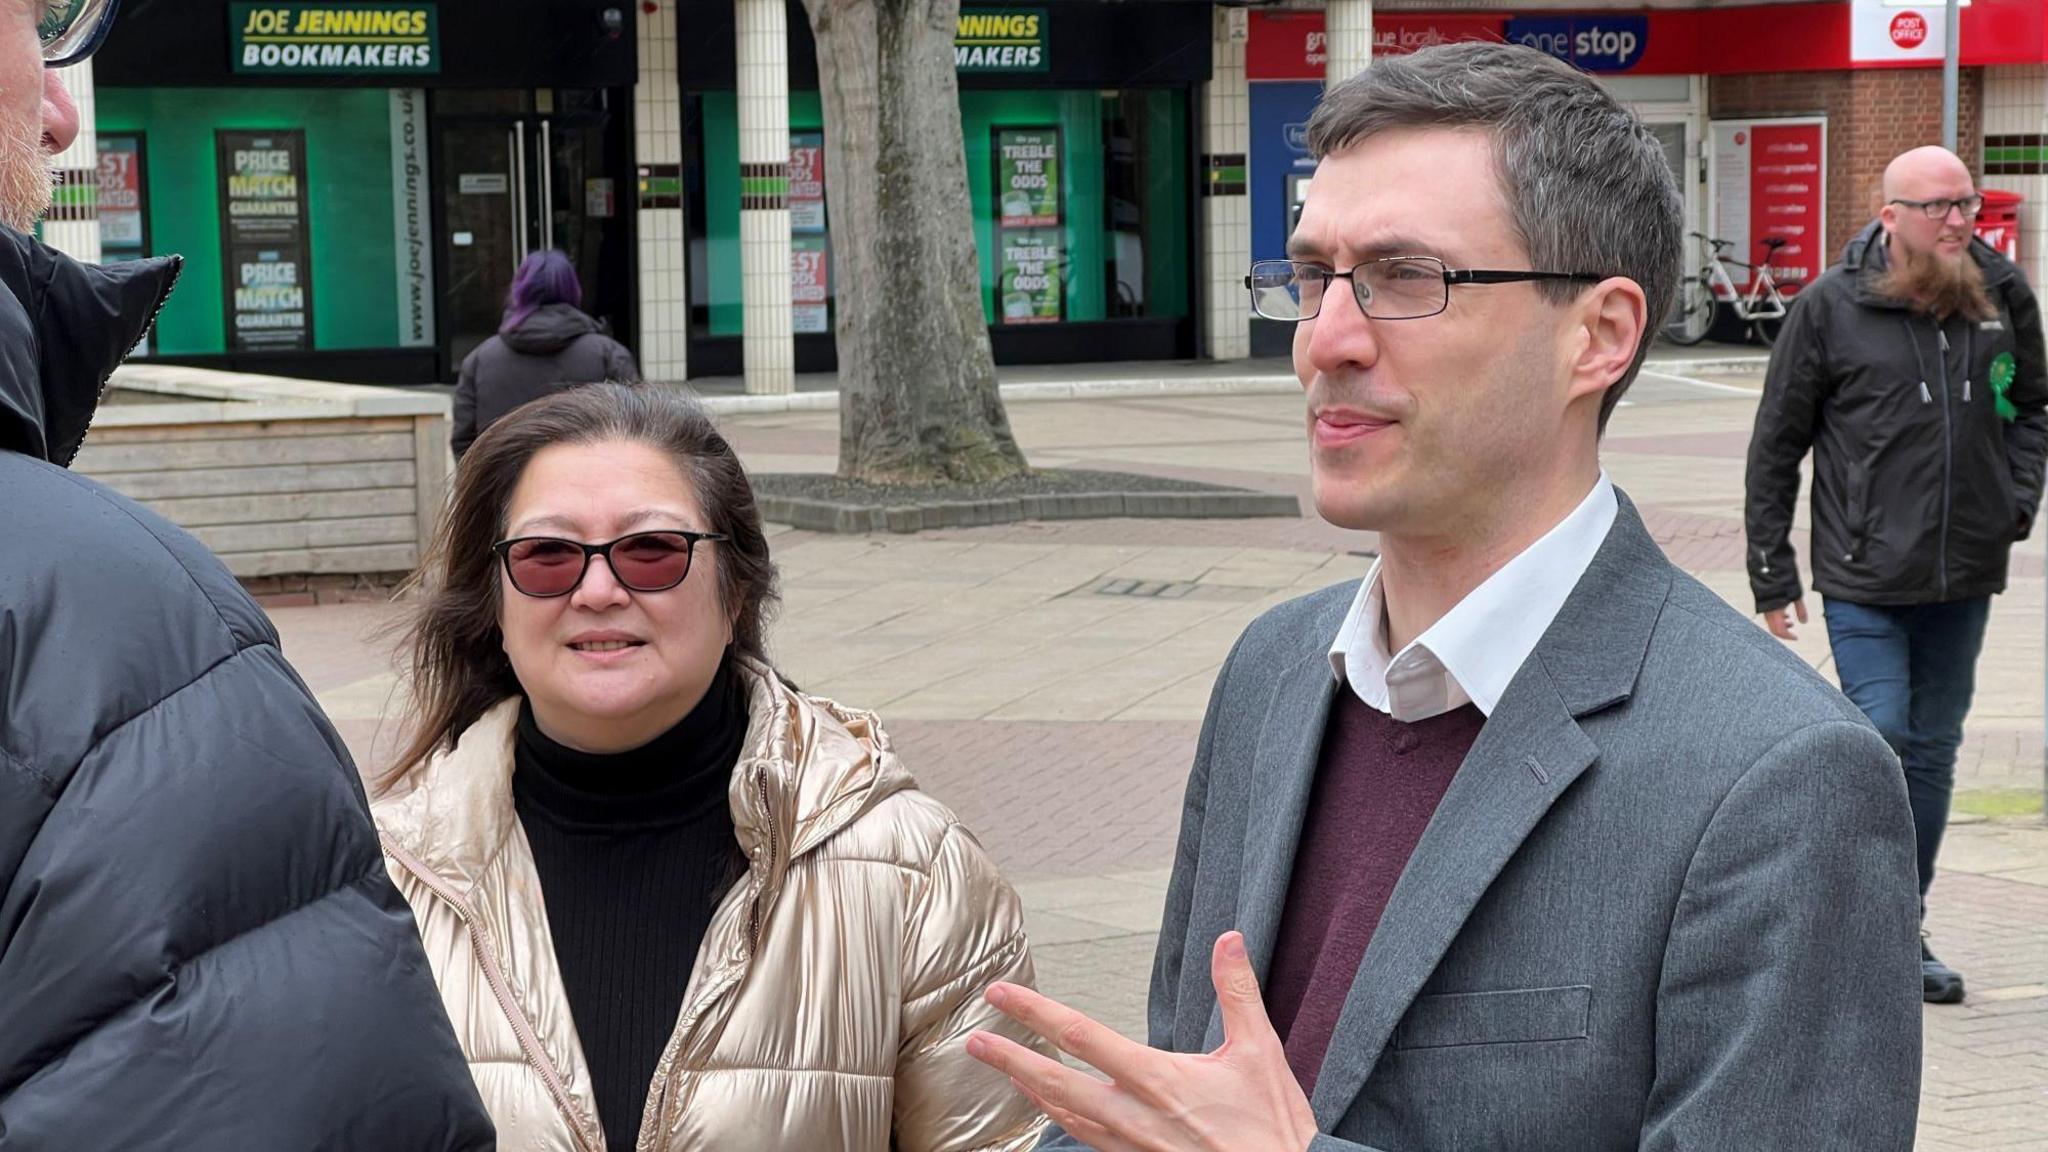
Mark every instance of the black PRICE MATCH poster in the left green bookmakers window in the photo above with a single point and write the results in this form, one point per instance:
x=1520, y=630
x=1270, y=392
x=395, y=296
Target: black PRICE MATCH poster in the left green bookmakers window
x=265, y=241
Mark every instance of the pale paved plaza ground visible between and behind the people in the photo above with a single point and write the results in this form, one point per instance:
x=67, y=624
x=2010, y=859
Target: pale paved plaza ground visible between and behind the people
x=1048, y=682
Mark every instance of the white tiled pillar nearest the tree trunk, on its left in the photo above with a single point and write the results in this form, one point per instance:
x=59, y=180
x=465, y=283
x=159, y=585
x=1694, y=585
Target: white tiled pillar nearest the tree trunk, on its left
x=767, y=345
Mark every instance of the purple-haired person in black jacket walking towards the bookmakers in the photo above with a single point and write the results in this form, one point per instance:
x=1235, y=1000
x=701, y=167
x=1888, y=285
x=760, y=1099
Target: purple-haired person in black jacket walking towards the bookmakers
x=548, y=343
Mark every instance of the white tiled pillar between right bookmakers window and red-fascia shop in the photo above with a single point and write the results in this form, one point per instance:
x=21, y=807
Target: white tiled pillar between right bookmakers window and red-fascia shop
x=1226, y=206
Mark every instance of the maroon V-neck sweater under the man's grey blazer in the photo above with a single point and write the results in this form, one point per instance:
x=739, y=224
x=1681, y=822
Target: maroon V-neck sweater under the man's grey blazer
x=1377, y=786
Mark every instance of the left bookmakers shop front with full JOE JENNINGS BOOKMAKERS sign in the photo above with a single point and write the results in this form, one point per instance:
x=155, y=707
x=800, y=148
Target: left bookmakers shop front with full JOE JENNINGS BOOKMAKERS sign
x=355, y=183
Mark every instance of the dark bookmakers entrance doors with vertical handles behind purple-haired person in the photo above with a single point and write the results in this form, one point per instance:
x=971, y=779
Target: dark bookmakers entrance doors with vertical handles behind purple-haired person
x=523, y=173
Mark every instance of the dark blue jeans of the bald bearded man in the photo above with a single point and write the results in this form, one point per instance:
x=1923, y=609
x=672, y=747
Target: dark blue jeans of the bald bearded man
x=1912, y=671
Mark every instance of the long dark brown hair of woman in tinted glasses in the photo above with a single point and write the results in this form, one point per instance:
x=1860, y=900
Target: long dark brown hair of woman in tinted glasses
x=454, y=649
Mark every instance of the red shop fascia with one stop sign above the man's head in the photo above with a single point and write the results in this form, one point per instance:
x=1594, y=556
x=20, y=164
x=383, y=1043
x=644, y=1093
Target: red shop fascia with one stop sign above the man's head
x=1664, y=42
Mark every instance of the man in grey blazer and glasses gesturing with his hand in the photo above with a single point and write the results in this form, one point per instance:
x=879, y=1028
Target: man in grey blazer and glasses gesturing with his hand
x=1527, y=841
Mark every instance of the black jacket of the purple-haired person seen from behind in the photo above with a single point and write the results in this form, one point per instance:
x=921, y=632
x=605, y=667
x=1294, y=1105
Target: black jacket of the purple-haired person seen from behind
x=556, y=347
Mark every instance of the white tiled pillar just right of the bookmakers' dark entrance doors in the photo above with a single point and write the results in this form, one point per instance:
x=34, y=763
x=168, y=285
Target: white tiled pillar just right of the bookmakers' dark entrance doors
x=665, y=298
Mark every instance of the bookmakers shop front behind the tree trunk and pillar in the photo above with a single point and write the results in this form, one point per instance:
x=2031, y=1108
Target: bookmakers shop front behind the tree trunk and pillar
x=1080, y=171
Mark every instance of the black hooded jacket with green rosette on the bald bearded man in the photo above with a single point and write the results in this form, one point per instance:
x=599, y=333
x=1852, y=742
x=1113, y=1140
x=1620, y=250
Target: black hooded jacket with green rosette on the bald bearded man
x=1920, y=487
